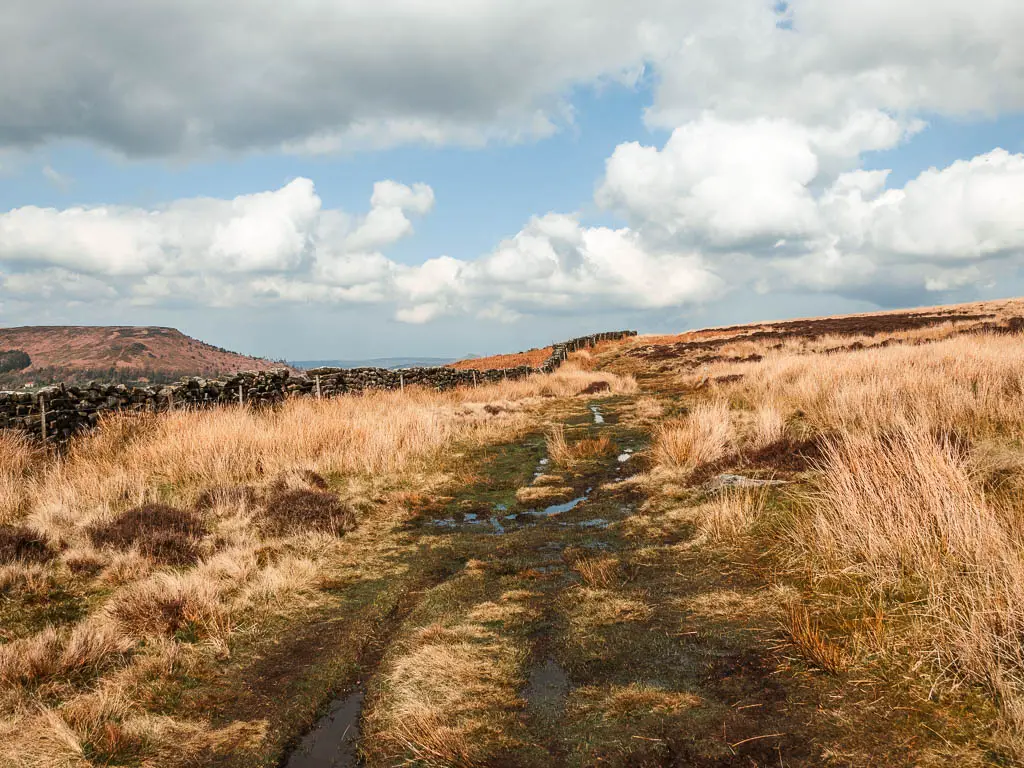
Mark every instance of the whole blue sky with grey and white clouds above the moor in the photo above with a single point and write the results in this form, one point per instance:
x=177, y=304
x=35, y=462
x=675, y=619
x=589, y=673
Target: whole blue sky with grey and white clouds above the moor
x=339, y=180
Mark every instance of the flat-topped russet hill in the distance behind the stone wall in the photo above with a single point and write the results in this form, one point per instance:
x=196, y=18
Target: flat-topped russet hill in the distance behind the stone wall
x=119, y=354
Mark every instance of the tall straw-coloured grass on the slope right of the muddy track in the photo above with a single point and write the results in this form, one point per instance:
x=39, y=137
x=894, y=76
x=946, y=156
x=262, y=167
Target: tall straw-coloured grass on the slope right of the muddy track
x=918, y=498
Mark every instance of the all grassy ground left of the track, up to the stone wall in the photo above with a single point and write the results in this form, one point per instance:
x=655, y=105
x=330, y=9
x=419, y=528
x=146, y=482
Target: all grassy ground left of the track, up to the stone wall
x=154, y=575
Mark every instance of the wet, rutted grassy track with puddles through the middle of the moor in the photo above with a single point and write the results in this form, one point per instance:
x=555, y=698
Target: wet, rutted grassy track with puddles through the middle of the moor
x=590, y=625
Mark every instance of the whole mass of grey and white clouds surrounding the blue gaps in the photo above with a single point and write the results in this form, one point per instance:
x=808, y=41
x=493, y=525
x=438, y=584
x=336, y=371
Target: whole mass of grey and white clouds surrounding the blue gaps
x=772, y=108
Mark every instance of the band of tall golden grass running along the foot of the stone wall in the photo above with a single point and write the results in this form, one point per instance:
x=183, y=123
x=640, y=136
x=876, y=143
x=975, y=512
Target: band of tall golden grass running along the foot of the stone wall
x=175, y=457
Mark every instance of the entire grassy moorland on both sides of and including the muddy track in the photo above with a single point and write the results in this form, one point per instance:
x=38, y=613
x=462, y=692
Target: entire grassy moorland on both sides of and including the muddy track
x=789, y=544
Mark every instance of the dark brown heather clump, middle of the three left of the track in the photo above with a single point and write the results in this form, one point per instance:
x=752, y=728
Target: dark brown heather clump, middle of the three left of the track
x=167, y=534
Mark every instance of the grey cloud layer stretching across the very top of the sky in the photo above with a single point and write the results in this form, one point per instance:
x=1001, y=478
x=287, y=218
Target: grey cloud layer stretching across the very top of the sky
x=182, y=77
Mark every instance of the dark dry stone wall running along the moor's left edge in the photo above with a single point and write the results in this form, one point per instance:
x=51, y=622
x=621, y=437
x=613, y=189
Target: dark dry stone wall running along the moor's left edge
x=57, y=413
